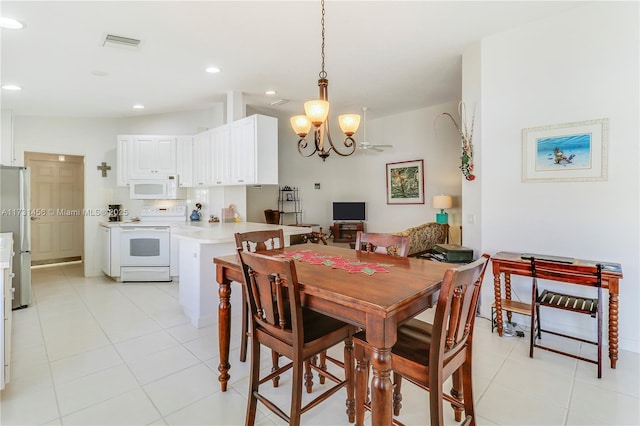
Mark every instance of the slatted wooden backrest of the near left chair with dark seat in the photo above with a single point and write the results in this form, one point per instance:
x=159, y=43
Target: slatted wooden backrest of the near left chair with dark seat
x=267, y=279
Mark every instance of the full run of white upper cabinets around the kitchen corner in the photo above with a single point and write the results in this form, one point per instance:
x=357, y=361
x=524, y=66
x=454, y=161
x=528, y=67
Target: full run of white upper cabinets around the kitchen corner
x=244, y=152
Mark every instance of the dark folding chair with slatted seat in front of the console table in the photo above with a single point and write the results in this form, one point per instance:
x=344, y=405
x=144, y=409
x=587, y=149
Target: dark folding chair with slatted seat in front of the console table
x=586, y=275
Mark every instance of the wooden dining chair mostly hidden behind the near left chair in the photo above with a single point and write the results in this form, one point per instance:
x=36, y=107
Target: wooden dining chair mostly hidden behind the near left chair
x=256, y=241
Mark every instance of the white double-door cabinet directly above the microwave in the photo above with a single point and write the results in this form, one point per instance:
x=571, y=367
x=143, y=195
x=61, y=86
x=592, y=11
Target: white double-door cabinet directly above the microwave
x=153, y=156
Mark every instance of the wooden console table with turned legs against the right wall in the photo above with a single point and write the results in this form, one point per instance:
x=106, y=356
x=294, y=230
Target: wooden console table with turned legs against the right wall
x=508, y=263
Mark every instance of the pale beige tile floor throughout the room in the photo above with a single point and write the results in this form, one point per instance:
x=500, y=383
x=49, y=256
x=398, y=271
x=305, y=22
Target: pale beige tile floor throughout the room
x=91, y=351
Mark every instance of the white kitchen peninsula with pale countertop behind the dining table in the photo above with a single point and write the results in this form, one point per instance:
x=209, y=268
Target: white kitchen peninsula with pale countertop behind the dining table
x=198, y=245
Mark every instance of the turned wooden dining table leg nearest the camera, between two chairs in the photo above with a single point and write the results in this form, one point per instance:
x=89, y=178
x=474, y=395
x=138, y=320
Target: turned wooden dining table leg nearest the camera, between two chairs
x=381, y=387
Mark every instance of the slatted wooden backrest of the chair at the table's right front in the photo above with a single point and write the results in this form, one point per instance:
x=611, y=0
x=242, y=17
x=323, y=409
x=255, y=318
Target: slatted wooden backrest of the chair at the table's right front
x=456, y=311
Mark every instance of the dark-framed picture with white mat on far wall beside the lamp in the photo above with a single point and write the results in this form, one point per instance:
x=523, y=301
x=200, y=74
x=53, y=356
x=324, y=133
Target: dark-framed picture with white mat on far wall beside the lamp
x=405, y=182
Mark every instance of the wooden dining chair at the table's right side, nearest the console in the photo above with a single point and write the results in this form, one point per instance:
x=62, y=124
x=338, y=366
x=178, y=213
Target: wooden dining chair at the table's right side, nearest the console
x=427, y=354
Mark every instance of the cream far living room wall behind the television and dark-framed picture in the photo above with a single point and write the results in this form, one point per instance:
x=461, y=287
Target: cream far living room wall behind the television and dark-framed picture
x=362, y=176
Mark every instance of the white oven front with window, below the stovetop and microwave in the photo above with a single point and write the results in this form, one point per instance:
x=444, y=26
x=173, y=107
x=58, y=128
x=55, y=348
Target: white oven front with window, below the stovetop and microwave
x=145, y=251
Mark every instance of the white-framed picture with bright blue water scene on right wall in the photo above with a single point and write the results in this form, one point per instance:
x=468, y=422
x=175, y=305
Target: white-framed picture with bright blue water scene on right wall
x=569, y=152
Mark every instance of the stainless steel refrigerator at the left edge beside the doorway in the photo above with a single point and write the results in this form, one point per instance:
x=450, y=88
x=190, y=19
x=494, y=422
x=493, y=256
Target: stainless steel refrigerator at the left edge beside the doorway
x=15, y=217
